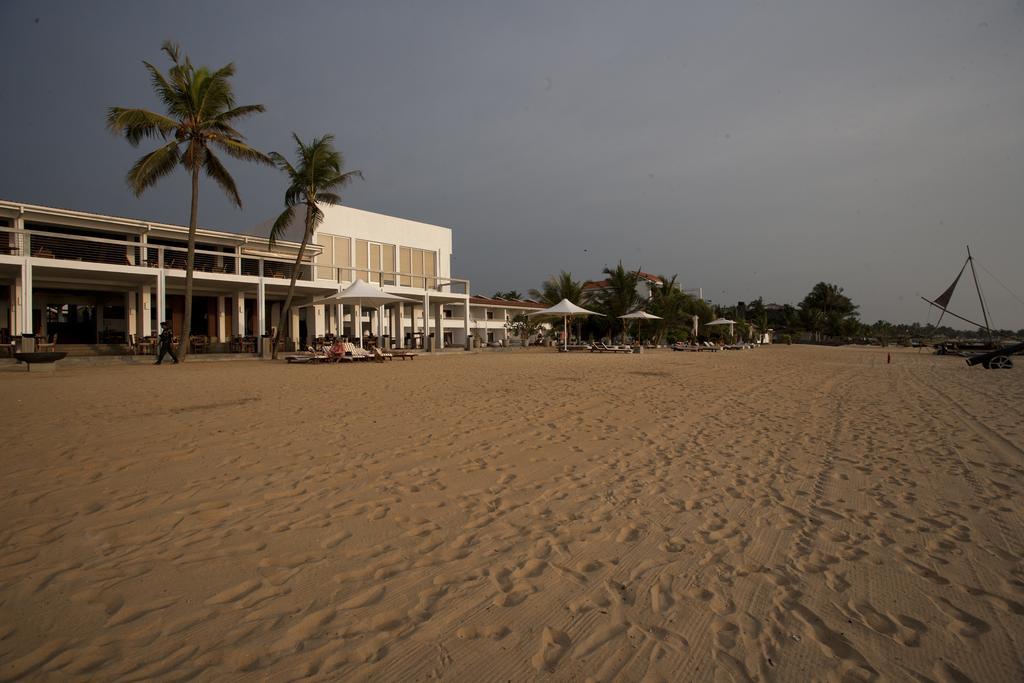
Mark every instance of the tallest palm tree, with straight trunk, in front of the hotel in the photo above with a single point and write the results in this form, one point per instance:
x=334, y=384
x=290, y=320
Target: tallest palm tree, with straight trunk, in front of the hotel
x=201, y=115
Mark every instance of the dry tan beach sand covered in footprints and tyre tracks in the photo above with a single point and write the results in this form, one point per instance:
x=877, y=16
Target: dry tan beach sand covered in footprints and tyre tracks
x=786, y=514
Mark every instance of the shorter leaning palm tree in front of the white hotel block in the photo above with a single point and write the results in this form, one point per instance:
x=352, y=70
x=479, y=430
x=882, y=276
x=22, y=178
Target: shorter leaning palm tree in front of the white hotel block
x=314, y=183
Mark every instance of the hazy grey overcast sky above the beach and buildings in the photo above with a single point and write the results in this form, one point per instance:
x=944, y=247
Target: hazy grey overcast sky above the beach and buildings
x=753, y=148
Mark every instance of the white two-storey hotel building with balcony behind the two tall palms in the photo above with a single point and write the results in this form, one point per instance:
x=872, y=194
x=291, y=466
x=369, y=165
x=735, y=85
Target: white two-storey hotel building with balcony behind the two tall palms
x=98, y=282
